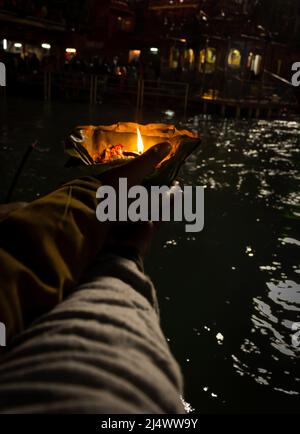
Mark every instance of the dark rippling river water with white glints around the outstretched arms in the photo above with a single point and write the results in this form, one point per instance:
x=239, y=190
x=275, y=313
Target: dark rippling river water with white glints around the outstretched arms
x=229, y=296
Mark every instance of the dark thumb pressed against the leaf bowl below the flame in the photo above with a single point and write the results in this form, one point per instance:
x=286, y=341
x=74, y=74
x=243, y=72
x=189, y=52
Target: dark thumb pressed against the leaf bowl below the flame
x=138, y=169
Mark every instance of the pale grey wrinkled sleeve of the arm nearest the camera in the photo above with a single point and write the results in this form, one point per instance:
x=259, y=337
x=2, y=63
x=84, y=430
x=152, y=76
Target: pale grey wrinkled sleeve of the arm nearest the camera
x=100, y=351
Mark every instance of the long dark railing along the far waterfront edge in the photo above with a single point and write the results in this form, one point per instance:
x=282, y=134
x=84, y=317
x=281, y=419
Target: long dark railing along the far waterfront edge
x=89, y=88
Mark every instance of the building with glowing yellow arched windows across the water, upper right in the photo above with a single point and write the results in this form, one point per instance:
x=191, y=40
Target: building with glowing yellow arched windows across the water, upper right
x=241, y=37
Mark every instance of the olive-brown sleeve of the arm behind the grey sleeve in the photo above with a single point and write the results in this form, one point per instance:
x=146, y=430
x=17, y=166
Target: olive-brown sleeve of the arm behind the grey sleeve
x=45, y=249
